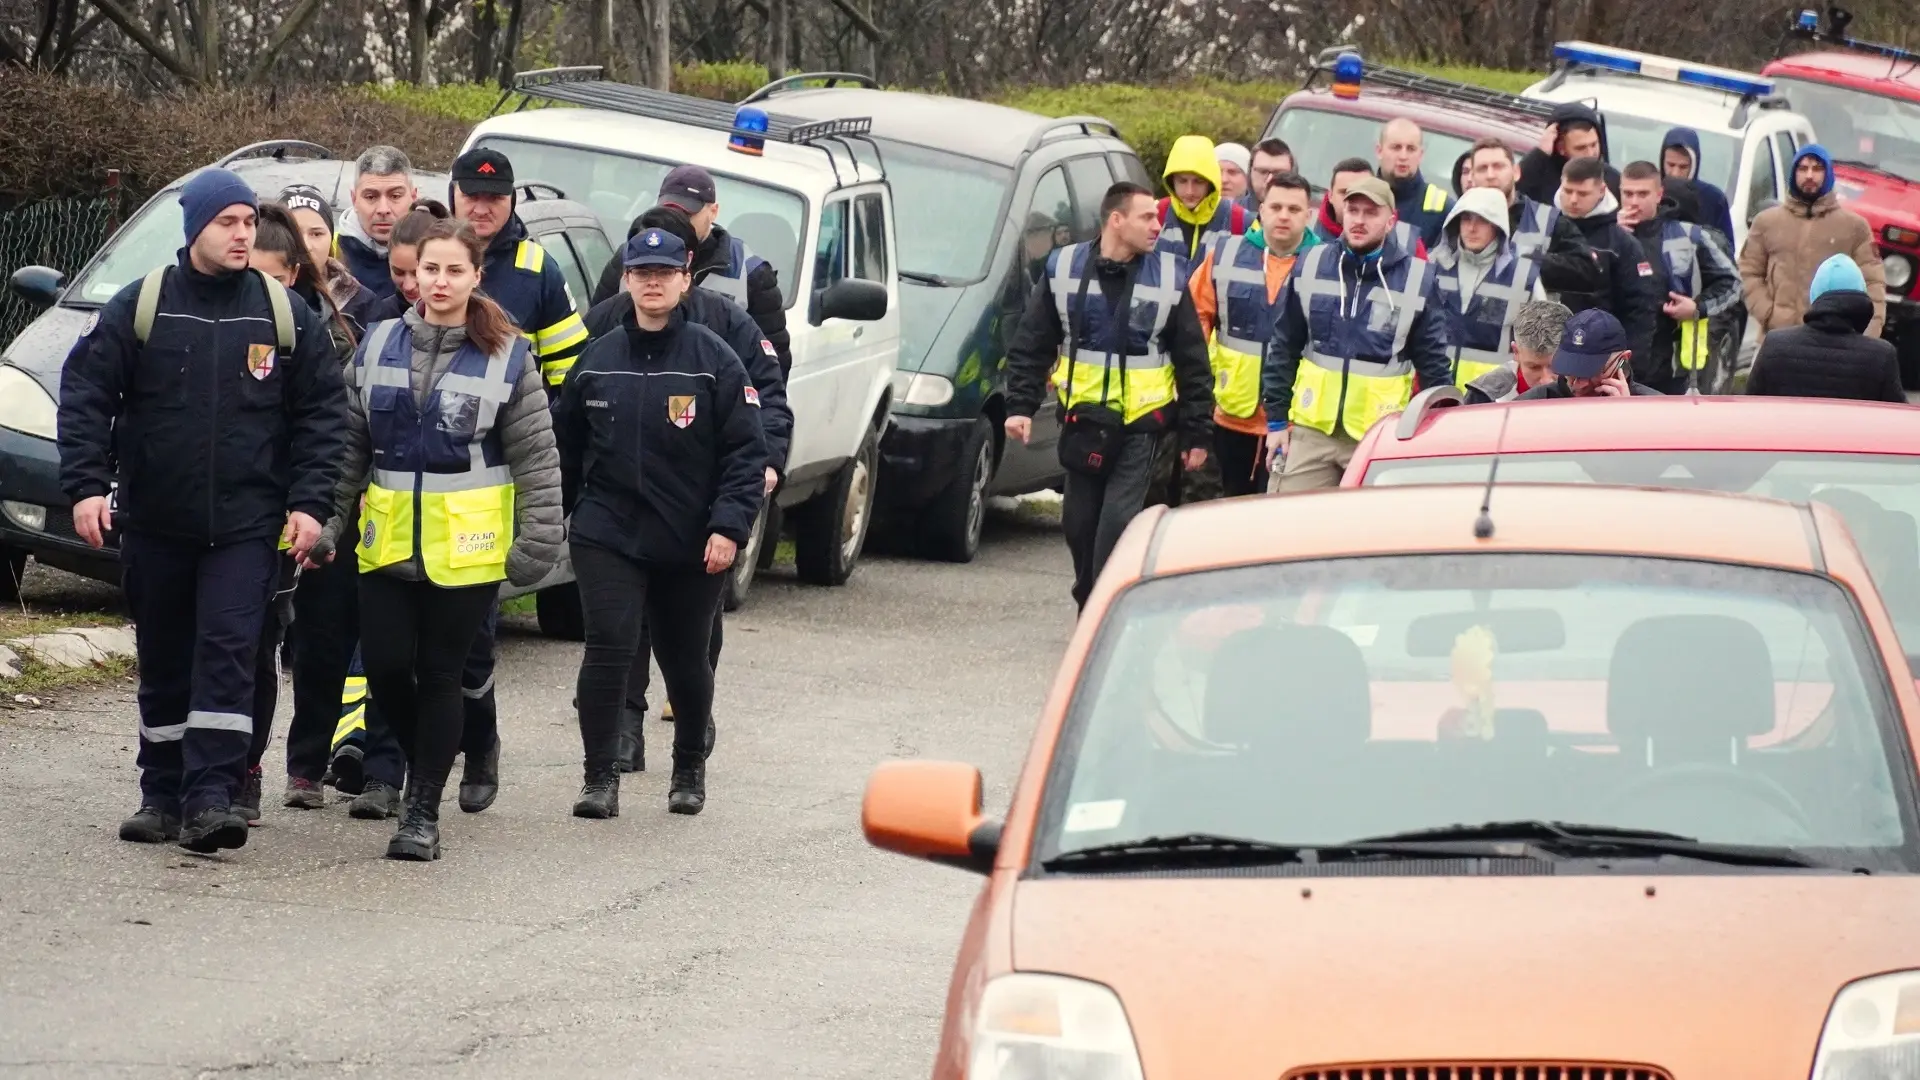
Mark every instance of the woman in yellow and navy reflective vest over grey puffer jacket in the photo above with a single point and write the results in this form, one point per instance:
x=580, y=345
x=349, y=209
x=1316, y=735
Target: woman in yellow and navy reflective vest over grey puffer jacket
x=452, y=447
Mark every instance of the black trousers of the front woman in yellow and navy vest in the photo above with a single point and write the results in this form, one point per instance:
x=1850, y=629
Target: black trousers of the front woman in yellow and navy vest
x=416, y=639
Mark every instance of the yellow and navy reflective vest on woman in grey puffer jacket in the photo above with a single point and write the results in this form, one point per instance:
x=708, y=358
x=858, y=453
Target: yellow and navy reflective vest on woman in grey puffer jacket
x=423, y=503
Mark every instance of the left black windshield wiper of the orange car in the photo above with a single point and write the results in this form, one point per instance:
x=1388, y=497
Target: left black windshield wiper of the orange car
x=1211, y=850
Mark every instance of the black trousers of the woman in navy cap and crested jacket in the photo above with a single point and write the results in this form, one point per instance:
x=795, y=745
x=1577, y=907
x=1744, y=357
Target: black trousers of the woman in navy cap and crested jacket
x=617, y=597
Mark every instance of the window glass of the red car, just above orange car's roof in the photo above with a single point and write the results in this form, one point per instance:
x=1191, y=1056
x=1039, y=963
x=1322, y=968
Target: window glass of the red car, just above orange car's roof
x=1877, y=495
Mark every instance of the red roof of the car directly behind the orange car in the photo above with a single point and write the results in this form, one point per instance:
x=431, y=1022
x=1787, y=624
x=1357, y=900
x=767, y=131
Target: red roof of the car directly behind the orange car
x=1806, y=426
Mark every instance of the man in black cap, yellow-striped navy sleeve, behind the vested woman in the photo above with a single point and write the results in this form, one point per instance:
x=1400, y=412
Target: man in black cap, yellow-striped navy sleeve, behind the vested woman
x=531, y=287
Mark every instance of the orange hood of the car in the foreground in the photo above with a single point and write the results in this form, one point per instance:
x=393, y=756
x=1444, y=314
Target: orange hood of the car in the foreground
x=1251, y=977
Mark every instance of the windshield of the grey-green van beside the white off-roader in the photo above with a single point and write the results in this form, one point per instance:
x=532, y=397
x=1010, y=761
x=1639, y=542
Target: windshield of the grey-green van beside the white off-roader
x=949, y=210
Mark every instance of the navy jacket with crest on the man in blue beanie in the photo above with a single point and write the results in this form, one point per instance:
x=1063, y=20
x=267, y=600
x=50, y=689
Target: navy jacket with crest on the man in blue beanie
x=214, y=433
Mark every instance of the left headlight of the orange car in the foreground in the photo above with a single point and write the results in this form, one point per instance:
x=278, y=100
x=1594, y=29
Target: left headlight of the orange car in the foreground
x=1049, y=1025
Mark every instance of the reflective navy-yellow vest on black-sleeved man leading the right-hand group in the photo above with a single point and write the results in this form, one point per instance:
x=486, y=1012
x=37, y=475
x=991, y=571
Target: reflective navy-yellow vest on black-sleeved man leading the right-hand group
x=1090, y=372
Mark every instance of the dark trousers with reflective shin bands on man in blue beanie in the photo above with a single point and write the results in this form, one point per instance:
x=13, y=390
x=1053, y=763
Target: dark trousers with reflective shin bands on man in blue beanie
x=197, y=631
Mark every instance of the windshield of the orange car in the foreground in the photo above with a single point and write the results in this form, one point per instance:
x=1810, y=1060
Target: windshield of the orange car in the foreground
x=1337, y=700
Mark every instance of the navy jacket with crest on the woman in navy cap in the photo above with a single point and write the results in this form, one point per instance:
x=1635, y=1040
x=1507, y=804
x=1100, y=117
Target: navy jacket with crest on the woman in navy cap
x=661, y=439
